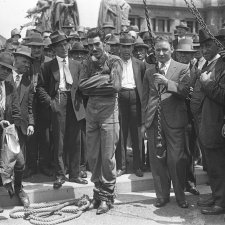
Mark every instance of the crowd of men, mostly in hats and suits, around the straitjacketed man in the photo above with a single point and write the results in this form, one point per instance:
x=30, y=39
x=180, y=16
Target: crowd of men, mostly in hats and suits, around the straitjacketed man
x=77, y=97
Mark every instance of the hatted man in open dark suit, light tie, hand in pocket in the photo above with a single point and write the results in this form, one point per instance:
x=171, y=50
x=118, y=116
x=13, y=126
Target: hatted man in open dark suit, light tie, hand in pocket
x=57, y=89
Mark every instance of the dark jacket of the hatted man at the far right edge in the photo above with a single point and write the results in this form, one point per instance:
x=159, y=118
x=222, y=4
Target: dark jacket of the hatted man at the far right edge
x=213, y=108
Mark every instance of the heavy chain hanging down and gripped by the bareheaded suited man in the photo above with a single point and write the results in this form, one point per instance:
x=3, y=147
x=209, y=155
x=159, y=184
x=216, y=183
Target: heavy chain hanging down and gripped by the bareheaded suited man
x=159, y=127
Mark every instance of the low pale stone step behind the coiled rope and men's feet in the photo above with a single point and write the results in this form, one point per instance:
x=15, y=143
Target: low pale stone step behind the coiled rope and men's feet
x=40, y=189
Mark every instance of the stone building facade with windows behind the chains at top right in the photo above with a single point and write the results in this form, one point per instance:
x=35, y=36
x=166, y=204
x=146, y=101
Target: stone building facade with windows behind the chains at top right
x=166, y=14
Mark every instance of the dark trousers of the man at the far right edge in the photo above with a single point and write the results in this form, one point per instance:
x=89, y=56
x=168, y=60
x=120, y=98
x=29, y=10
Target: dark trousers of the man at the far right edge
x=215, y=159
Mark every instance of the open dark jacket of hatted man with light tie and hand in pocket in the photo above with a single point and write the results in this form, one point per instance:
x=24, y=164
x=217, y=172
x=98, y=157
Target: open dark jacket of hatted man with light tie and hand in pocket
x=48, y=85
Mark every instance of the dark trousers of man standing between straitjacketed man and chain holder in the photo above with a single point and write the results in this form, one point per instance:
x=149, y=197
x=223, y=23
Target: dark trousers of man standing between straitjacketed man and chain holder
x=130, y=114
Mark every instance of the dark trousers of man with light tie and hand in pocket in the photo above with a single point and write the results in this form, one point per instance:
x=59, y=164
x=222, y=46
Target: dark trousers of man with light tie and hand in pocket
x=66, y=136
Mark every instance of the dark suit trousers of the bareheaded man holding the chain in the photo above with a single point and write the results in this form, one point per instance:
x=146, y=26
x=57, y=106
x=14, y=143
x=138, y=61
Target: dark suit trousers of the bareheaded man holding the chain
x=174, y=166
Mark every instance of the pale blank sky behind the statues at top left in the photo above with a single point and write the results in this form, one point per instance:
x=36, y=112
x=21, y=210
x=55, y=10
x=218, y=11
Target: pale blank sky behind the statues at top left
x=13, y=12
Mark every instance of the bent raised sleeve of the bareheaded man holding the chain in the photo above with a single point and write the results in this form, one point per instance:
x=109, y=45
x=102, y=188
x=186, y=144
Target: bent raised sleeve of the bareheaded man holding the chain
x=182, y=86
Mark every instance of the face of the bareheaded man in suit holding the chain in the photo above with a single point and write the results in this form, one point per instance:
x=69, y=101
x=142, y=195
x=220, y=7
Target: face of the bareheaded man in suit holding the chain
x=163, y=51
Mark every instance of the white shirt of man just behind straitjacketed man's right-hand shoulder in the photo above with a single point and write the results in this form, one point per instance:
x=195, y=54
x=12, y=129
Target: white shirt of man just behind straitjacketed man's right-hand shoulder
x=128, y=75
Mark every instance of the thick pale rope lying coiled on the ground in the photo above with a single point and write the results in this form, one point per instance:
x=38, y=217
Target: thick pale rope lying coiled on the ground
x=52, y=213
